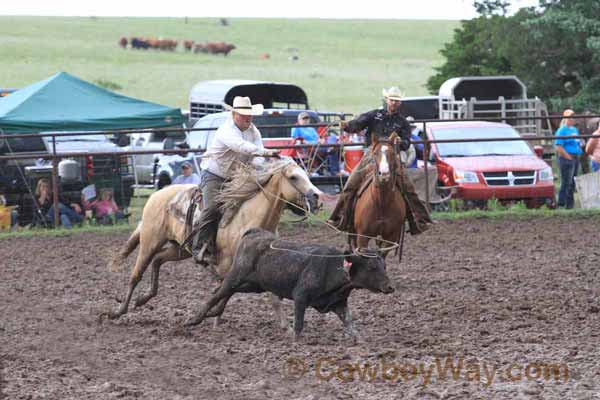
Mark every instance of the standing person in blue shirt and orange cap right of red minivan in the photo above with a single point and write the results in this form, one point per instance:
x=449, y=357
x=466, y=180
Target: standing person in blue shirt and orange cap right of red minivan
x=568, y=151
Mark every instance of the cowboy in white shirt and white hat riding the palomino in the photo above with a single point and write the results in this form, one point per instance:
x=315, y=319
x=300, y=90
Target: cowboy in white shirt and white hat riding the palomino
x=236, y=142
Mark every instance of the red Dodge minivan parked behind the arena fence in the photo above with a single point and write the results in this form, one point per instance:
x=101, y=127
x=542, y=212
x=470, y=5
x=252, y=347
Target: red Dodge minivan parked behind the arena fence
x=505, y=170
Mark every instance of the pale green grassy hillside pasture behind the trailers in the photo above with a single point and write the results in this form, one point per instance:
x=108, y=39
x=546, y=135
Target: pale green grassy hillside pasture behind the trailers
x=343, y=65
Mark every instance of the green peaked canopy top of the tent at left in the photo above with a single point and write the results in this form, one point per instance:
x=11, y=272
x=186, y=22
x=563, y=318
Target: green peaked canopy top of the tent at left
x=63, y=102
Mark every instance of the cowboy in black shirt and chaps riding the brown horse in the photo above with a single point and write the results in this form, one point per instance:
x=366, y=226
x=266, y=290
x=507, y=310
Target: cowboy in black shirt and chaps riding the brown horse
x=380, y=122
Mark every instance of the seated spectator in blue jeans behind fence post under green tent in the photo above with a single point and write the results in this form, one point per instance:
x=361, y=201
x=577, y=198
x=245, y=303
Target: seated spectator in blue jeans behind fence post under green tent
x=67, y=214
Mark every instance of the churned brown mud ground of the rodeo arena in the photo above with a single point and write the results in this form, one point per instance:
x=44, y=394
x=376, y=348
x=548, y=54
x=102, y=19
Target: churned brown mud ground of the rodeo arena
x=511, y=306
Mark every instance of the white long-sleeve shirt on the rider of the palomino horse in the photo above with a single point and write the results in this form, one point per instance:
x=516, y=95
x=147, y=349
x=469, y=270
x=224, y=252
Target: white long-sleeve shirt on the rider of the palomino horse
x=230, y=147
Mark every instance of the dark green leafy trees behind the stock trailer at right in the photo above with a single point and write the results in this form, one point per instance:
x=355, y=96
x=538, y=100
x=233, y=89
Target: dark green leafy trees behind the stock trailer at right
x=554, y=48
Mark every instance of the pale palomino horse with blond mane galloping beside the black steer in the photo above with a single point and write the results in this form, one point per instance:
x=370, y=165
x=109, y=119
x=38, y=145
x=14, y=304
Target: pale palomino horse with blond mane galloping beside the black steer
x=259, y=201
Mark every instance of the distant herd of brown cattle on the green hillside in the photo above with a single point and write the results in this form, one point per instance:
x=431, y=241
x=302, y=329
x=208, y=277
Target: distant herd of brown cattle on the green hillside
x=141, y=43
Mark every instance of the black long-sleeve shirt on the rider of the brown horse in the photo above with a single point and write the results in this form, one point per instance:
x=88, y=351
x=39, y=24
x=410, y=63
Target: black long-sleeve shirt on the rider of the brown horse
x=381, y=123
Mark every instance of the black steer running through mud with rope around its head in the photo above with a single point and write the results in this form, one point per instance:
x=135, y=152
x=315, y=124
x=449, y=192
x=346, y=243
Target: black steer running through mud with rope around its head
x=312, y=275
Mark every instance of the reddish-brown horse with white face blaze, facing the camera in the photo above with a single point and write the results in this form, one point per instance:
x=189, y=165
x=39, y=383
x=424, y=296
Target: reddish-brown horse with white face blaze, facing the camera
x=380, y=209
